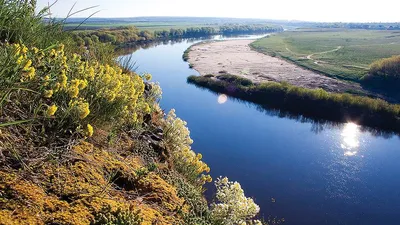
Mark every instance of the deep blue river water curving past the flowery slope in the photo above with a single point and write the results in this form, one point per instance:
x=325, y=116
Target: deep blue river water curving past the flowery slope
x=318, y=173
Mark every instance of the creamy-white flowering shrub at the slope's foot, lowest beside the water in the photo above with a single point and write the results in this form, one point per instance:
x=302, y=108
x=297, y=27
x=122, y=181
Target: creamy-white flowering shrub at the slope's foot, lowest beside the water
x=232, y=207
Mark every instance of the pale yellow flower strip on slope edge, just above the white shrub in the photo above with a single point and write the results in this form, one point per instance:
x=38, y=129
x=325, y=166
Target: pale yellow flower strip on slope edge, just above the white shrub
x=177, y=138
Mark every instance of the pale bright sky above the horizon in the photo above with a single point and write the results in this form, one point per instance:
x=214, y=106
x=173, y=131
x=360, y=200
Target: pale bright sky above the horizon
x=305, y=10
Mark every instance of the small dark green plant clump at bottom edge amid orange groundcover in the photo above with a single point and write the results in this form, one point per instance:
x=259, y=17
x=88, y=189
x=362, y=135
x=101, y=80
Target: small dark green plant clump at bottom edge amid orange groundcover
x=118, y=217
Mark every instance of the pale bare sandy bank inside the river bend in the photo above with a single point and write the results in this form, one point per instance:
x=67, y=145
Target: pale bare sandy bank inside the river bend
x=237, y=58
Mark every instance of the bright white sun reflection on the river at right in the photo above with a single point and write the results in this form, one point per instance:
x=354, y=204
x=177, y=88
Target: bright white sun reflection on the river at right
x=350, y=141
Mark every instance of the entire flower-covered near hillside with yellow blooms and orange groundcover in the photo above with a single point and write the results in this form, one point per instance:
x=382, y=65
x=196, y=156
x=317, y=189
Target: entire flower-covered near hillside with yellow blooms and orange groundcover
x=83, y=140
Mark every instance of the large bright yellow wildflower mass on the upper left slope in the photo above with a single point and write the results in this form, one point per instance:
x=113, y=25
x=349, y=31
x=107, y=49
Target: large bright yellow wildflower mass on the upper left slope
x=72, y=91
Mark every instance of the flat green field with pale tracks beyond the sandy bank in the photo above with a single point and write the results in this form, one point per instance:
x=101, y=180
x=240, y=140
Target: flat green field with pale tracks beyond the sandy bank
x=341, y=53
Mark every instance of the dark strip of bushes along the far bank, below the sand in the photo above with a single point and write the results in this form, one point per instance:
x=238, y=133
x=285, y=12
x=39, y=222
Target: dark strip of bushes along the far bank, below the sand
x=314, y=103
